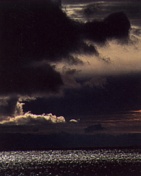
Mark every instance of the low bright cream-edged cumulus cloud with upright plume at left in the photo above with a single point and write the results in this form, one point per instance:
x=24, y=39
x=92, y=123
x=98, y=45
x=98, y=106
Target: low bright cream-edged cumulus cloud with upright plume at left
x=20, y=118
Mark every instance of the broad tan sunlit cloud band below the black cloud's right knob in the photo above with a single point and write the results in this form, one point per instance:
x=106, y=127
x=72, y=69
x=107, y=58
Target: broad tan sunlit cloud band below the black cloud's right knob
x=114, y=59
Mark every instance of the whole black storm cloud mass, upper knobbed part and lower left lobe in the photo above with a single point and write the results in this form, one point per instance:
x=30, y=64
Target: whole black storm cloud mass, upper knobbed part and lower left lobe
x=33, y=31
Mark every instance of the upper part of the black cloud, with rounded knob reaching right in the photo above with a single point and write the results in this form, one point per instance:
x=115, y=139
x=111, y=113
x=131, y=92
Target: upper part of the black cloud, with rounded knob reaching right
x=37, y=29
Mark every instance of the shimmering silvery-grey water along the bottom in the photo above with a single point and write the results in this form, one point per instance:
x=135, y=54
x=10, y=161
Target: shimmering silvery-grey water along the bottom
x=71, y=163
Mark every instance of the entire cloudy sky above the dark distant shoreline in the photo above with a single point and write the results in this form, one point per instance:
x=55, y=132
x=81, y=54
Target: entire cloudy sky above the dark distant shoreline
x=78, y=63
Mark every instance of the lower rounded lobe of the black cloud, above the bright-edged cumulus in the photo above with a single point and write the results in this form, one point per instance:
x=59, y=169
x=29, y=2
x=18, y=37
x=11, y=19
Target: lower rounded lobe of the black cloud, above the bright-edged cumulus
x=29, y=81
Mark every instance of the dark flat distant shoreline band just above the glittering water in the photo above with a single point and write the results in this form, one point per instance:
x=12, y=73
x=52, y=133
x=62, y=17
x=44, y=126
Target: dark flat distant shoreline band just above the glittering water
x=36, y=142
